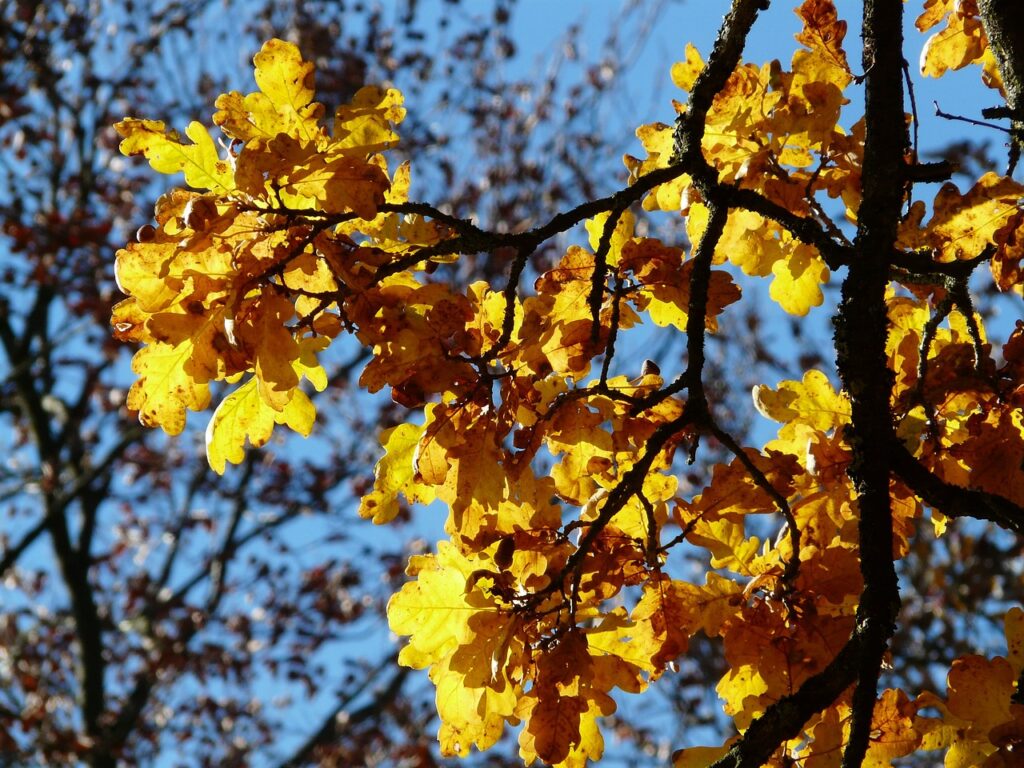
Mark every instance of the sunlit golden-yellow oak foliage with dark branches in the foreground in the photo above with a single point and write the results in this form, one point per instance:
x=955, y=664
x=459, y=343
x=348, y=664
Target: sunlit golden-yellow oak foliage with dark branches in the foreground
x=561, y=477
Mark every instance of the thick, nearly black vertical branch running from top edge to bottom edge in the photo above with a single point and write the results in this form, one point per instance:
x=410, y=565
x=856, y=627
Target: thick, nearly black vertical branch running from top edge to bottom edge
x=862, y=331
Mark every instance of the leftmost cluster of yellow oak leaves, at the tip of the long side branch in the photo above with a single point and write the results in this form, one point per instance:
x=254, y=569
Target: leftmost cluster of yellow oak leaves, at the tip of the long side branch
x=191, y=278
